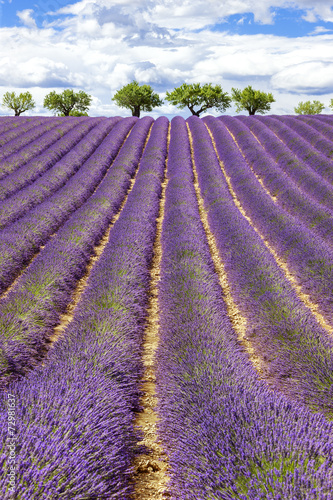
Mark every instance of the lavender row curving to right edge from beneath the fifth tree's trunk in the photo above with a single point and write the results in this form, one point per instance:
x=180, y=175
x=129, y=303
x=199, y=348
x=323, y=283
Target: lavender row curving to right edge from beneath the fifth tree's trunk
x=309, y=181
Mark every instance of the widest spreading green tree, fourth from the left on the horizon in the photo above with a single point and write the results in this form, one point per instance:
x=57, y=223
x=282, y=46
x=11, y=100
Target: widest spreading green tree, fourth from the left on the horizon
x=192, y=94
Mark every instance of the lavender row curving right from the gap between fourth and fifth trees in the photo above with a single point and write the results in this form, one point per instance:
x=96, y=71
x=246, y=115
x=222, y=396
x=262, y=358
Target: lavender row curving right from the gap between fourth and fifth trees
x=286, y=192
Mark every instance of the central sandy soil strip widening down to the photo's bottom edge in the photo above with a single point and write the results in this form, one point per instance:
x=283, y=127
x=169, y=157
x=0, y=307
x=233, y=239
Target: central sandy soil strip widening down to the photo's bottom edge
x=150, y=477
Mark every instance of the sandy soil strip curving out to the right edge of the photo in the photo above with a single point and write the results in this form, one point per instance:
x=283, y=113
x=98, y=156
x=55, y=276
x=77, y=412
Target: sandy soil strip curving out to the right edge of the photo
x=304, y=297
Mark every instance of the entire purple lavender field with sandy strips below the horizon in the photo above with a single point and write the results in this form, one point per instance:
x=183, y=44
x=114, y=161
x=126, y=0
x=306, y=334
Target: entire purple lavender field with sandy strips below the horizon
x=166, y=308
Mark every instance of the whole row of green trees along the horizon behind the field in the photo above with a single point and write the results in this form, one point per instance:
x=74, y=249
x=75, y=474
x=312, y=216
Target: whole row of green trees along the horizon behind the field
x=137, y=98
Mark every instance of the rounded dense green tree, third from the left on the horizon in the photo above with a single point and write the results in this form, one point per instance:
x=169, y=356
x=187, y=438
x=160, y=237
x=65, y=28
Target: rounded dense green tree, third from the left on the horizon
x=137, y=98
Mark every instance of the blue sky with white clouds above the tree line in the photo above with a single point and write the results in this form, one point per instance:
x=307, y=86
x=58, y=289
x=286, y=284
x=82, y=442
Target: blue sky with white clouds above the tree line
x=281, y=46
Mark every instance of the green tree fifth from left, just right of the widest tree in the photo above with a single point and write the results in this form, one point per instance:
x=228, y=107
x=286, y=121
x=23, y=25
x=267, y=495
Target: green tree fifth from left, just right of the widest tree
x=253, y=101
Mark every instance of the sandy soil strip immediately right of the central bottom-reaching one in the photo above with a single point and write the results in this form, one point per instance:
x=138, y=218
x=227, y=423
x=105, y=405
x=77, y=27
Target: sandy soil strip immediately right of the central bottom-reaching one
x=237, y=320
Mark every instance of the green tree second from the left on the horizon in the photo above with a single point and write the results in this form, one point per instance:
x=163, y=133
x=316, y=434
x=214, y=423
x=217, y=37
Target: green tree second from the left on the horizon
x=68, y=102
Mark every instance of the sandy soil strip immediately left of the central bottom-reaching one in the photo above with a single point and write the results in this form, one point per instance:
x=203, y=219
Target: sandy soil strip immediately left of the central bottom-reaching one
x=67, y=316
